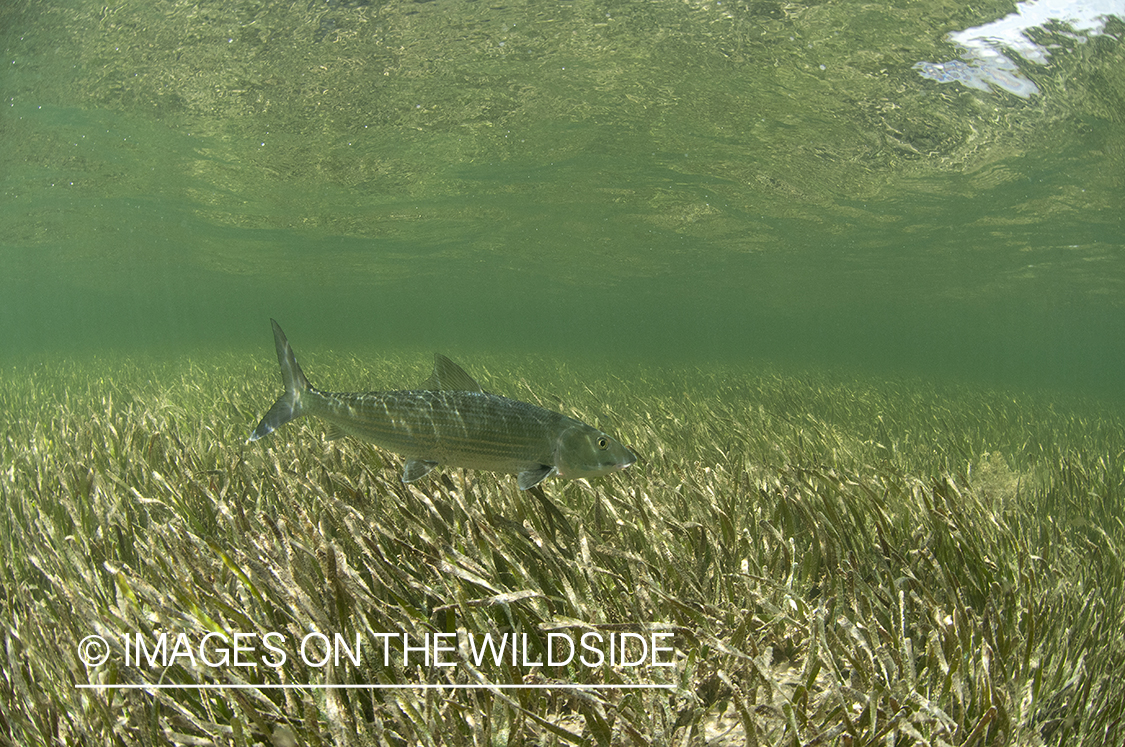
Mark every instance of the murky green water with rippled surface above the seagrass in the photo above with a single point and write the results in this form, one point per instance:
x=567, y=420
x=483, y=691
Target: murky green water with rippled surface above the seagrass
x=665, y=182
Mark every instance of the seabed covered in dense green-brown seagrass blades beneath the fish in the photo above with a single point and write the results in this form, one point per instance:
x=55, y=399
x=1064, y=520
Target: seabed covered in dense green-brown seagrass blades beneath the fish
x=830, y=561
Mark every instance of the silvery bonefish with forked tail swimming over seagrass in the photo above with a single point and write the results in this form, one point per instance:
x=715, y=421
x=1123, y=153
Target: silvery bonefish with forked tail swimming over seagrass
x=449, y=421
